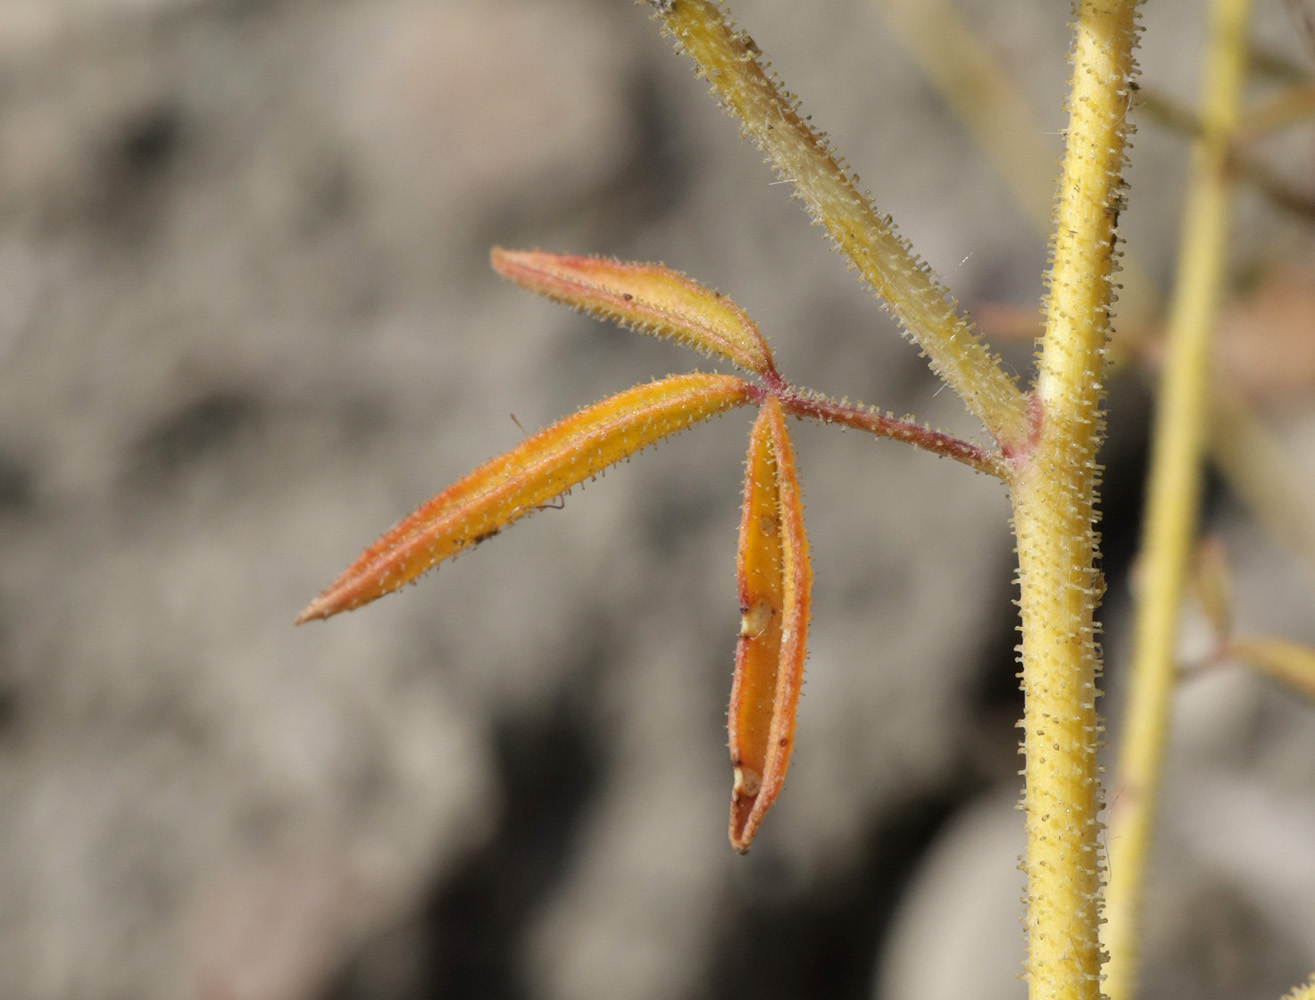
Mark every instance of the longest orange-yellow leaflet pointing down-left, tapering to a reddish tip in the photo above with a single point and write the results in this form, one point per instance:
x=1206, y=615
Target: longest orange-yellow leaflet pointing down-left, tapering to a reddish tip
x=514, y=485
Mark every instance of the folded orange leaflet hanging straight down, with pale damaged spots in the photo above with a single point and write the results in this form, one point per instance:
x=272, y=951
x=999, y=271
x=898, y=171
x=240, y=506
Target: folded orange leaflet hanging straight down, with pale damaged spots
x=775, y=585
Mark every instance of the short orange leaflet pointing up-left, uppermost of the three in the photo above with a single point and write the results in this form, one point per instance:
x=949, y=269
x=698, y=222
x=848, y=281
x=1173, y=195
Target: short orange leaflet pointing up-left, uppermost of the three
x=648, y=298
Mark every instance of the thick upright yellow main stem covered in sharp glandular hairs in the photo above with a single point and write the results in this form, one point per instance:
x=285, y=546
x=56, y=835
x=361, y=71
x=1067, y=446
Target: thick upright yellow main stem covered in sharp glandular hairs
x=1054, y=520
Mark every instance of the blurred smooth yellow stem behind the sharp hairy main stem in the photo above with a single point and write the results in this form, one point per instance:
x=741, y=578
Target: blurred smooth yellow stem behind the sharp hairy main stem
x=1180, y=435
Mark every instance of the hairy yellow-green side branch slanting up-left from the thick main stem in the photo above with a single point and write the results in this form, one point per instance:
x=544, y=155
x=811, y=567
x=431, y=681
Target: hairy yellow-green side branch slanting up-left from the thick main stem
x=870, y=240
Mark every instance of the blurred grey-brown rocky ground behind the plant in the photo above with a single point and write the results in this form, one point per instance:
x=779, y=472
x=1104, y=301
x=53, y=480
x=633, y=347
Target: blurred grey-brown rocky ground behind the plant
x=248, y=322
